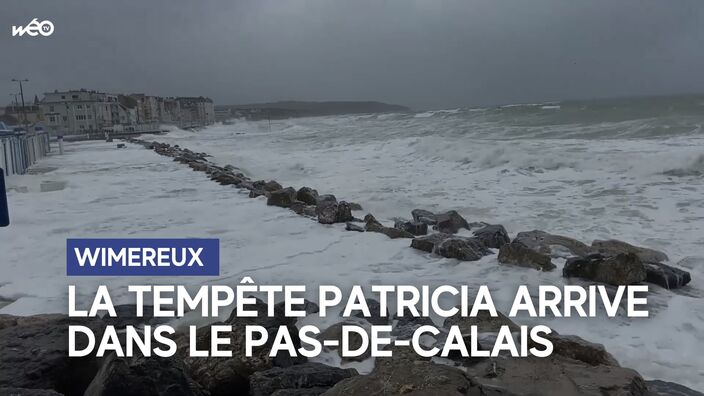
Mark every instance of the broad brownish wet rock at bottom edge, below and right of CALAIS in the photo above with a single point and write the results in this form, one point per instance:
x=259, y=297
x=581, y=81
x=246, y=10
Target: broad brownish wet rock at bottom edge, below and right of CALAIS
x=554, y=375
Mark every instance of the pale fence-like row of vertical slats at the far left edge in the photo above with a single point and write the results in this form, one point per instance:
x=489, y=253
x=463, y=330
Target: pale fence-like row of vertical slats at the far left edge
x=19, y=151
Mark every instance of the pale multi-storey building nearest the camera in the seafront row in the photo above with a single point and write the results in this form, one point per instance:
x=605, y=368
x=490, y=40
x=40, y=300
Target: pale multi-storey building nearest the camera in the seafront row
x=83, y=111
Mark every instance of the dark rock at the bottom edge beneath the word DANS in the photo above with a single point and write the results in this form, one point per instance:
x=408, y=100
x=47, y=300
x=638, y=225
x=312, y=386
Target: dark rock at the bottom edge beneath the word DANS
x=140, y=376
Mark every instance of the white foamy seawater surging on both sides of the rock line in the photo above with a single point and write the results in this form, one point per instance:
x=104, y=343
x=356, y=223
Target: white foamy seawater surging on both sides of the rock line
x=586, y=172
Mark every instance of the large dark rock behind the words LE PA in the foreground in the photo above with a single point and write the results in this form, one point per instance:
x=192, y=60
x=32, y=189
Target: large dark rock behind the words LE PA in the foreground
x=230, y=375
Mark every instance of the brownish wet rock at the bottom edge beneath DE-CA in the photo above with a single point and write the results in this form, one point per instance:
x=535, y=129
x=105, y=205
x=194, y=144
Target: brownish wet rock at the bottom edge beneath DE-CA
x=402, y=377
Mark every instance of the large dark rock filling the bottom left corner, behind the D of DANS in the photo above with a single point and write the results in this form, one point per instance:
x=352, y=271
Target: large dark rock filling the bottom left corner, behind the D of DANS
x=34, y=353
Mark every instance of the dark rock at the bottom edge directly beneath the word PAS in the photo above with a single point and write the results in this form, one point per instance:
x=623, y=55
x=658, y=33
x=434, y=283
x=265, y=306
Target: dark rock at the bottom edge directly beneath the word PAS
x=314, y=377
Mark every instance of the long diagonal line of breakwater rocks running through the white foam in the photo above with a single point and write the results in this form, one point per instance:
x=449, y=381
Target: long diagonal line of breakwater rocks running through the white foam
x=445, y=234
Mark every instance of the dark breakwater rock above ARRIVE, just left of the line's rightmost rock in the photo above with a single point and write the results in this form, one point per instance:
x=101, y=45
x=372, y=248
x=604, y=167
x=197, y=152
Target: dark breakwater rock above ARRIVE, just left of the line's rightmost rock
x=623, y=269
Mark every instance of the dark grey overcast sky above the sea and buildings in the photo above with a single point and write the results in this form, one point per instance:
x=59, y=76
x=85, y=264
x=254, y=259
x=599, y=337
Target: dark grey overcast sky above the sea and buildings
x=421, y=53
